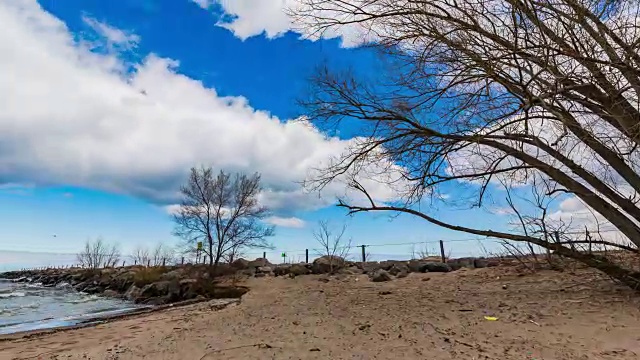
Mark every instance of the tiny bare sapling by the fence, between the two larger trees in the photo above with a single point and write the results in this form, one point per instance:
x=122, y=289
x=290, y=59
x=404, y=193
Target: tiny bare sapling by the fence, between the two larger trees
x=333, y=244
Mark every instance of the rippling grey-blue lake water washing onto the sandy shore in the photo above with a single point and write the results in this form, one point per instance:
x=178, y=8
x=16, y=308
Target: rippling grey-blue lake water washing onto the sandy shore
x=25, y=307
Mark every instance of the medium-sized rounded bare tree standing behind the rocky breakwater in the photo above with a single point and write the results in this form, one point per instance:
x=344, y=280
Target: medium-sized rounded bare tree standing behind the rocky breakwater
x=223, y=212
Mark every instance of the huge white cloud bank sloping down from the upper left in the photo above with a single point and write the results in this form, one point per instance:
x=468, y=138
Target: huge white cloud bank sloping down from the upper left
x=72, y=116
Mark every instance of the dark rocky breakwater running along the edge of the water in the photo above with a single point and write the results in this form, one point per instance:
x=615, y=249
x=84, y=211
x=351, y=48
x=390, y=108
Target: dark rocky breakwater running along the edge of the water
x=142, y=285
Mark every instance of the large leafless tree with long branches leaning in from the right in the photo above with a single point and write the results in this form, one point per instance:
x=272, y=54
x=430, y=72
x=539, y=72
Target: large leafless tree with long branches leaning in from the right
x=490, y=95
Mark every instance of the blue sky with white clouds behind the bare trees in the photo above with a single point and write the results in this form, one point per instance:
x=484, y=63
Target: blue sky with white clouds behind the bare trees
x=104, y=107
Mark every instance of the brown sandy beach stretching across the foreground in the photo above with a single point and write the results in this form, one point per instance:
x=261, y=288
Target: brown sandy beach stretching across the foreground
x=547, y=315
